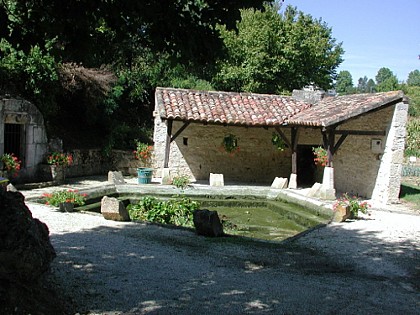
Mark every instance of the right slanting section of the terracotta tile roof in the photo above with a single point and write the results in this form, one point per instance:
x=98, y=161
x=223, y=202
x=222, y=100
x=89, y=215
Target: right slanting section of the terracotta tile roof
x=332, y=110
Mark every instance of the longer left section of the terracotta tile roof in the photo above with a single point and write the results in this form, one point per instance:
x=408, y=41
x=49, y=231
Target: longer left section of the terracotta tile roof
x=227, y=107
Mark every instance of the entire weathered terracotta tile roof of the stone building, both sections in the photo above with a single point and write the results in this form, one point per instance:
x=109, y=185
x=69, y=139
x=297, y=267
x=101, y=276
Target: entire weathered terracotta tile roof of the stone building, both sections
x=250, y=109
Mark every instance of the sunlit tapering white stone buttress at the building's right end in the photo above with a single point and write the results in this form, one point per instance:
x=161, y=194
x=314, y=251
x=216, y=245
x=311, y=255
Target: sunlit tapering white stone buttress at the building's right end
x=388, y=180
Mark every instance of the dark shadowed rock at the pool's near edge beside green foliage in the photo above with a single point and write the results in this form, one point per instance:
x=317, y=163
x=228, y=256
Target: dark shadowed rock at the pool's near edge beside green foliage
x=207, y=223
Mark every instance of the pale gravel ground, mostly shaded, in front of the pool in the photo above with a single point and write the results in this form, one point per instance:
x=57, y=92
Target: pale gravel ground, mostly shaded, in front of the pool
x=368, y=266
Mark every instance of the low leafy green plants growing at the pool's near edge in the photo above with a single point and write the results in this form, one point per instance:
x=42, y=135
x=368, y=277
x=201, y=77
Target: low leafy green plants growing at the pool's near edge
x=178, y=211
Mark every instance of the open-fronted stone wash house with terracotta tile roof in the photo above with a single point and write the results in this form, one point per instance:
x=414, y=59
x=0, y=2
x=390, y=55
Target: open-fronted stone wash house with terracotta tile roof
x=363, y=133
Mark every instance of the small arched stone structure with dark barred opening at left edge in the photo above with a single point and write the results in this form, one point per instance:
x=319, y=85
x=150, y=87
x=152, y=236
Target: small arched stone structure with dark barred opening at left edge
x=22, y=132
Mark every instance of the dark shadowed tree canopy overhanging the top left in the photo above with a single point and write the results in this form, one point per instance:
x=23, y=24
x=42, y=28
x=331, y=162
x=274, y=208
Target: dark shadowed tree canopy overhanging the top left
x=96, y=32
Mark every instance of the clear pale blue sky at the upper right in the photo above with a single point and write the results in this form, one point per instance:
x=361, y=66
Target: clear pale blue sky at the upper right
x=374, y=33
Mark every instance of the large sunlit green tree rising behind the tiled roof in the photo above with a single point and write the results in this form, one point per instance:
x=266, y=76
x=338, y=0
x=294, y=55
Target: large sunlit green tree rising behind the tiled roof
x=272, y=52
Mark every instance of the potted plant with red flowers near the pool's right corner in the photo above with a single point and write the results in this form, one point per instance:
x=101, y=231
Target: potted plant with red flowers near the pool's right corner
x=348, y=207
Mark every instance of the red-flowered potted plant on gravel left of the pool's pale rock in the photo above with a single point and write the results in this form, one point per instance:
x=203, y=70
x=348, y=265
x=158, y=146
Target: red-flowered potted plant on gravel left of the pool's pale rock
x=65, y=199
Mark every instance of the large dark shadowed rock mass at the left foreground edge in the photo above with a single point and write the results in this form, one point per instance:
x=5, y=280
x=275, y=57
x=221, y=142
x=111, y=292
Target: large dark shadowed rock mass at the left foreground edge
x=25, y=248
